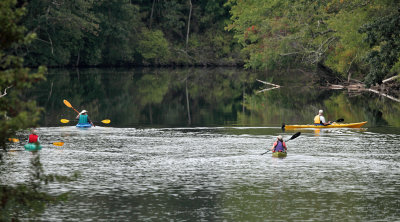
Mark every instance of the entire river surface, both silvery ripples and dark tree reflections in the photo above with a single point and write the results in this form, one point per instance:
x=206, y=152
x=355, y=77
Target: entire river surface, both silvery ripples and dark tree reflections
x=208, y=167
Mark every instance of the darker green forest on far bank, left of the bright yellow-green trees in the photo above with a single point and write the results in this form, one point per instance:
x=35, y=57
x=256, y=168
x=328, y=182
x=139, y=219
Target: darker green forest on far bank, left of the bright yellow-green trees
x=120, y=32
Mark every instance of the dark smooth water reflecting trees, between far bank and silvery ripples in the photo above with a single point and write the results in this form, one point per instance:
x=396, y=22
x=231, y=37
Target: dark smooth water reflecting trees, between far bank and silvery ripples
x=202, y=97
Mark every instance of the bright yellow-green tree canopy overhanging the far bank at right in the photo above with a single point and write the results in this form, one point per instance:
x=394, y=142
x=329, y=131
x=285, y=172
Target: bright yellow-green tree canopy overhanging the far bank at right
x=349, y=37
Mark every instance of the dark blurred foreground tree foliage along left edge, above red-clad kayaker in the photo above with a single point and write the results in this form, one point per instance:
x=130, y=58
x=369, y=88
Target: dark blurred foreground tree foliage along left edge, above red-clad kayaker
x=16, y=111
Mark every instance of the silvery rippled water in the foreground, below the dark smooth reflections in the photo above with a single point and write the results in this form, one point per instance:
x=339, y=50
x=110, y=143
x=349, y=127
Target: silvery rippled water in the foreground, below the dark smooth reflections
x=217, y=173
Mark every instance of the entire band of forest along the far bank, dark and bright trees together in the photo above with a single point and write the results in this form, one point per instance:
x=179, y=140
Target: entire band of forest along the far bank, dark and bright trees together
x=355, y=39
